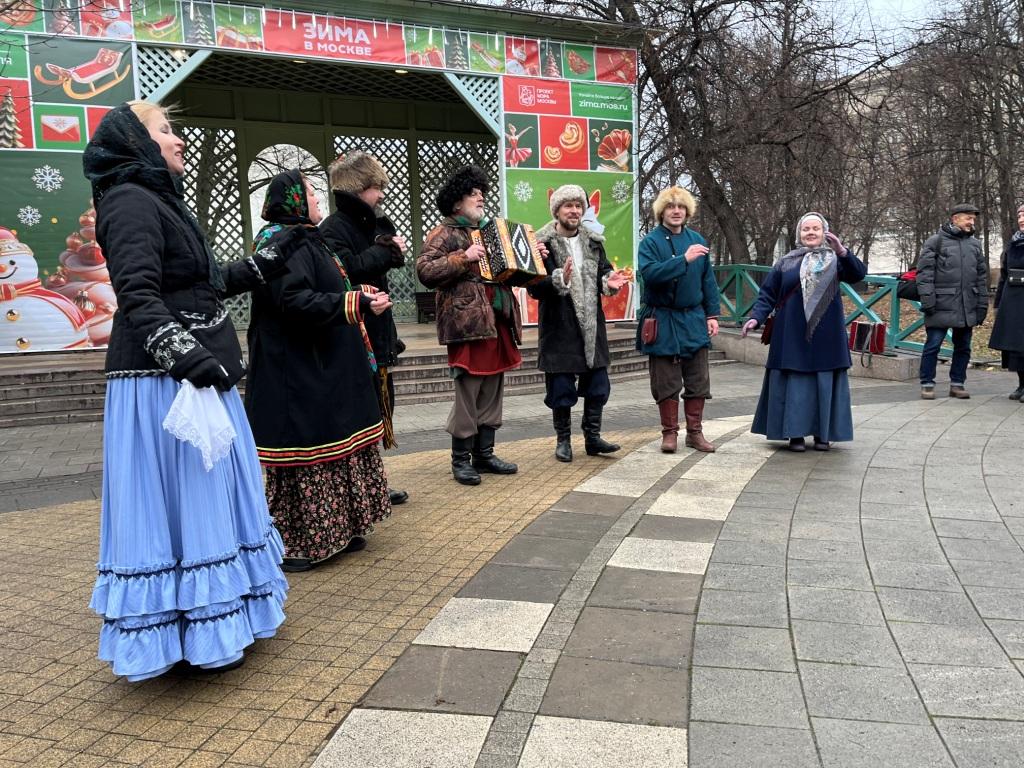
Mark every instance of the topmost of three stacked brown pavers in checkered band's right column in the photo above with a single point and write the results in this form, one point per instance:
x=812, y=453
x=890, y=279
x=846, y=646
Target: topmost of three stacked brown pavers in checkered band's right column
x=647, y=590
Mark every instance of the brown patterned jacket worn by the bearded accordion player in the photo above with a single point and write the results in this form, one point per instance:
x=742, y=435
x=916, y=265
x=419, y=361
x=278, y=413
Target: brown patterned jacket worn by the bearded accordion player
x=464, y=312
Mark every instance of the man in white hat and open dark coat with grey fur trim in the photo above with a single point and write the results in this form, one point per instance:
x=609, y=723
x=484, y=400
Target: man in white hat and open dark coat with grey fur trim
x=574, y=344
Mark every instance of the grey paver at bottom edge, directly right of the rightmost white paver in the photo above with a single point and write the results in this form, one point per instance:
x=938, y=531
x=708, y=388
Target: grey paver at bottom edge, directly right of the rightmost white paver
x=723, y=746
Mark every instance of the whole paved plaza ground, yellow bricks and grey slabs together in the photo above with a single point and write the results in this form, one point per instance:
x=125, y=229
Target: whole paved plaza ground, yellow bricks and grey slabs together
x=752, y=608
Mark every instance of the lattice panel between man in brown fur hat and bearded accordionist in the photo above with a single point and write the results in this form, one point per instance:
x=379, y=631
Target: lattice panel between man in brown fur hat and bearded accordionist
x=394, y=155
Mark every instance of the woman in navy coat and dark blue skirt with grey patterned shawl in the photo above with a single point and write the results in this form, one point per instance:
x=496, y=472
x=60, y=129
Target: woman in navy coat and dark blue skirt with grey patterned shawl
x=806, y=390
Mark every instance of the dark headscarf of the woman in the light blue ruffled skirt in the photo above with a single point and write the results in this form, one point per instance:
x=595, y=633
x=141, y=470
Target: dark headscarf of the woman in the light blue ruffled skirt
x=122, y=152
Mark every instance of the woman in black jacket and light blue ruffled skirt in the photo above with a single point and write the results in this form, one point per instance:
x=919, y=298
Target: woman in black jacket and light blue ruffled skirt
x=189, y=557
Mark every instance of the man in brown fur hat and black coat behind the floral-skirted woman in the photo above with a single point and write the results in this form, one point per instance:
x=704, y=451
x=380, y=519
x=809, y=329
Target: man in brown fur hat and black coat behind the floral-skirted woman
x=366, y=242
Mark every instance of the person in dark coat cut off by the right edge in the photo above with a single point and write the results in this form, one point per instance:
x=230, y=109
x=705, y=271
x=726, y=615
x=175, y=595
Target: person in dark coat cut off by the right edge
x=1008, y=331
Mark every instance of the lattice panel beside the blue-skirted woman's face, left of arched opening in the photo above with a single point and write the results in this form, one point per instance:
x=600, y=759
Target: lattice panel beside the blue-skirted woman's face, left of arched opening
x=214, y=192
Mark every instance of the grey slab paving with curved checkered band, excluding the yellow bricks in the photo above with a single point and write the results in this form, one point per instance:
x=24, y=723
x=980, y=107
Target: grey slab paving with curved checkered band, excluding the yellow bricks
x=755, y=608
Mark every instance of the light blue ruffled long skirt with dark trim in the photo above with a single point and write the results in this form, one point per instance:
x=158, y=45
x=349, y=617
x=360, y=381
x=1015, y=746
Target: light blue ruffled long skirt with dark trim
x=189, y=560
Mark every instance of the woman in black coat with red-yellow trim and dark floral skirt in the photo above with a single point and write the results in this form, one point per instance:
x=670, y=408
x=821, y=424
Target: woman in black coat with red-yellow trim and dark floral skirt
x=312, y=396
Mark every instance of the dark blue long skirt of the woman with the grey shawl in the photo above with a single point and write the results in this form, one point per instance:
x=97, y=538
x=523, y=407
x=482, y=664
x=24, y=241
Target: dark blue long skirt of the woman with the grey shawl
x=798, y=405
